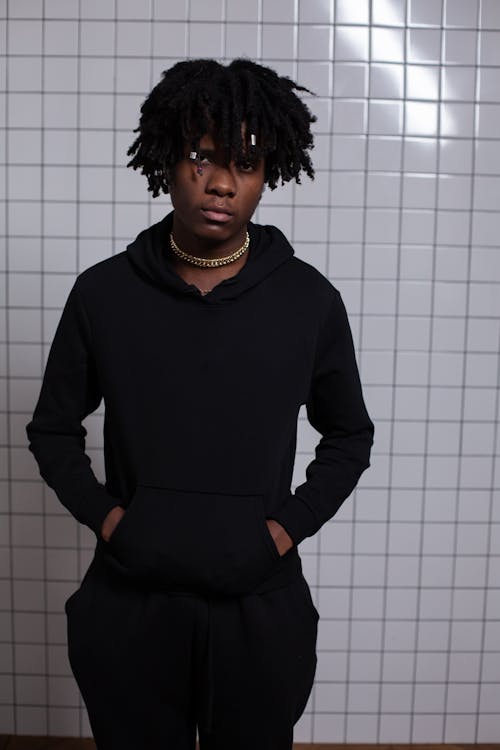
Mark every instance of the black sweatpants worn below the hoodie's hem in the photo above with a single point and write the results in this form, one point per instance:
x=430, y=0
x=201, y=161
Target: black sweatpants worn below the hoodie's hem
x=153, y=666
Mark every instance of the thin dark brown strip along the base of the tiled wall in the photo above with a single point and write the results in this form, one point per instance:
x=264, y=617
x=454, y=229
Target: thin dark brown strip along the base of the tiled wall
x=26, y=742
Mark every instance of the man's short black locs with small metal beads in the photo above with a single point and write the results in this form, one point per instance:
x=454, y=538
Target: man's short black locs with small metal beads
x=195, y=97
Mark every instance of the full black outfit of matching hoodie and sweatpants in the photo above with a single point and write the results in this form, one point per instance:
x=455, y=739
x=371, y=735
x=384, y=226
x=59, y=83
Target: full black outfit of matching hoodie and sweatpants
x=201, y=394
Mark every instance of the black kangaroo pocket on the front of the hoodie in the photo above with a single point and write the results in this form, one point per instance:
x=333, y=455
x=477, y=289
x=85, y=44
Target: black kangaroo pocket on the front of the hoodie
x=203, y=541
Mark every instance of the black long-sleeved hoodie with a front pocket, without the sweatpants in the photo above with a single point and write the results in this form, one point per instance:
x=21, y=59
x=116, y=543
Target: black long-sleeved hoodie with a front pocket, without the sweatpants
x=201, y=395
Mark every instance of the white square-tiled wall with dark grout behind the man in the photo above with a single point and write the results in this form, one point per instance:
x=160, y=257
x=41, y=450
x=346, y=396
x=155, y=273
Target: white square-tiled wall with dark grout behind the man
x=404, y=217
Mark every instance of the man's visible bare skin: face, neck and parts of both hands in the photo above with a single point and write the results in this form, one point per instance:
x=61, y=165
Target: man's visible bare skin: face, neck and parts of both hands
x=201, y=228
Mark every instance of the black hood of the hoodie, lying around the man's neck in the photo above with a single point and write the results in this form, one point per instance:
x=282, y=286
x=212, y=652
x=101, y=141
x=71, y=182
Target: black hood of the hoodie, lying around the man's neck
x=148, y=254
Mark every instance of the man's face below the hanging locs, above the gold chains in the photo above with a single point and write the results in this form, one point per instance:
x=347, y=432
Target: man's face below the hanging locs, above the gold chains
x=216, y=205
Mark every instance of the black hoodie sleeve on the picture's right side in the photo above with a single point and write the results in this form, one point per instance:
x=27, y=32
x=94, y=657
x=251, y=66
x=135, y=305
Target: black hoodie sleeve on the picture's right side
x=336, y=409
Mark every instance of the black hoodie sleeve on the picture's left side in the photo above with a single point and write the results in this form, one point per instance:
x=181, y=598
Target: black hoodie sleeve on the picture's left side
x=70, y=392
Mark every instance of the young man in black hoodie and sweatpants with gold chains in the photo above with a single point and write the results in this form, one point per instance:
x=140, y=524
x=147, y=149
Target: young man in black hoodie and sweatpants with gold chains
x=204, y=338
